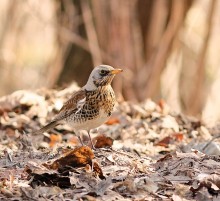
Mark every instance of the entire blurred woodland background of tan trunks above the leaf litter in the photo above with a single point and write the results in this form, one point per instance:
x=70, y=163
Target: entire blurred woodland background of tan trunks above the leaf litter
x=165, y=46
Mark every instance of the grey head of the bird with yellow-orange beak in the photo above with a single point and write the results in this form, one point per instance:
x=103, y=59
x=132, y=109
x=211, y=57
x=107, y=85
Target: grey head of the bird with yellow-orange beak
x=101, y=76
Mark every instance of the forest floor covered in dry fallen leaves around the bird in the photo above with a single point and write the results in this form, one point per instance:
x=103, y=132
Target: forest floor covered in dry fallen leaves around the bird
x=144, y=152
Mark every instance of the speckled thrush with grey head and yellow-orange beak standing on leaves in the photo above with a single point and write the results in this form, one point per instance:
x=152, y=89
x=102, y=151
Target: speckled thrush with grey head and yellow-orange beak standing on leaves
x=90, y=106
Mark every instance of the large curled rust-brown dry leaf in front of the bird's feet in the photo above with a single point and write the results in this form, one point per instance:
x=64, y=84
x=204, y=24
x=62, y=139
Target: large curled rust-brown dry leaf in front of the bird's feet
x=78, y=157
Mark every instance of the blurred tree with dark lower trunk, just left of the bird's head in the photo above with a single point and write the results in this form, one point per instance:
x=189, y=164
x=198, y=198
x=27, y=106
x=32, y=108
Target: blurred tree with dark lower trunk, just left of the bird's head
x=70, y=34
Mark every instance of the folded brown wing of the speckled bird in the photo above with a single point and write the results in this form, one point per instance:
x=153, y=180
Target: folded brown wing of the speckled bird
x=73, y=105
